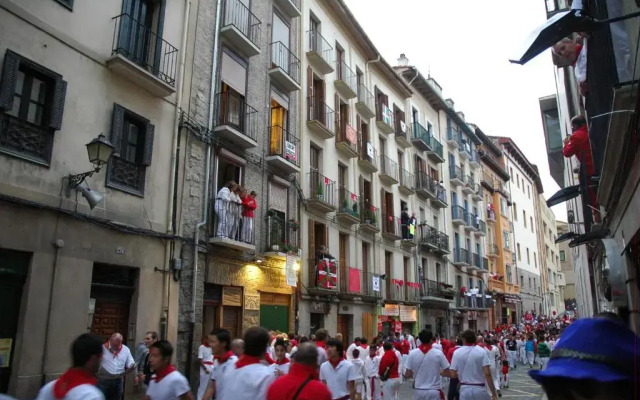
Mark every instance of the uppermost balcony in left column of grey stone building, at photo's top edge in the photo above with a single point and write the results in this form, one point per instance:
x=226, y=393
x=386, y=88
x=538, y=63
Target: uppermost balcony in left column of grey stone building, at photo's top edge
x=240, y=28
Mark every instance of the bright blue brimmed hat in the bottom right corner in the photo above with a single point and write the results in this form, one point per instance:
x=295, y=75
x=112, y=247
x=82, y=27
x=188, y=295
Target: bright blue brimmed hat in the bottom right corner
x=597, y=349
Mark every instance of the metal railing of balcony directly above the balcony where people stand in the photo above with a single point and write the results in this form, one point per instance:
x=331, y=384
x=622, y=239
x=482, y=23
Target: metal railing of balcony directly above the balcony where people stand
x=231, y=109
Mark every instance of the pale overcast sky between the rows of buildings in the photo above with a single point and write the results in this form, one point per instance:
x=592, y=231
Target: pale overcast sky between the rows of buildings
x=465, y=45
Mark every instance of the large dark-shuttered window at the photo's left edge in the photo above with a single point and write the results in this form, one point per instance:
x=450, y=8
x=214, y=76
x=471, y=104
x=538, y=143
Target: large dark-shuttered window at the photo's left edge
x=31, y=106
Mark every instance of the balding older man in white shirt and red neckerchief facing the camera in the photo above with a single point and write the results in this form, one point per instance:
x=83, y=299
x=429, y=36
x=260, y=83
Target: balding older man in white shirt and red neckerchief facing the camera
x=116, y=363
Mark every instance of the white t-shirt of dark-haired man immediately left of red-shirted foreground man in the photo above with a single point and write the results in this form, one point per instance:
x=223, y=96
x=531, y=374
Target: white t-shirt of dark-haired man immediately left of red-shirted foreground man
x=247, y=383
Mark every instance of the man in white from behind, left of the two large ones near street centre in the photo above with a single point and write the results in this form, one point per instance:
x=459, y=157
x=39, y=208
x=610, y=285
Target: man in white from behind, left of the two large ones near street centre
x=427, y=365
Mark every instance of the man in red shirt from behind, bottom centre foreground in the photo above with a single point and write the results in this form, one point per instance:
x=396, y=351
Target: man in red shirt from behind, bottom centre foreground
x=302, y=378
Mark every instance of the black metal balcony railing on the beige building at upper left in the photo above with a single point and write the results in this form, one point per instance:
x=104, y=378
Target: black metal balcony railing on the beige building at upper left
x=139, y=44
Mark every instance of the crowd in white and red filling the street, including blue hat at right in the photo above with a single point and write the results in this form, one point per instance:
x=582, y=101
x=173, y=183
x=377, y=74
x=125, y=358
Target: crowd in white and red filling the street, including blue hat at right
x=568, y=358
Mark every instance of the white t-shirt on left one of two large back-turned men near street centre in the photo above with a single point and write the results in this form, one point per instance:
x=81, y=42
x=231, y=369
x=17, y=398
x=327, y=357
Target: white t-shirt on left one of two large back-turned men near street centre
x=426, y=368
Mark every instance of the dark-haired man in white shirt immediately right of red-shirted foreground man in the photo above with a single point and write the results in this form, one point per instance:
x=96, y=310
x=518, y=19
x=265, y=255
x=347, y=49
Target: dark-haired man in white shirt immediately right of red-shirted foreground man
x=337, y=373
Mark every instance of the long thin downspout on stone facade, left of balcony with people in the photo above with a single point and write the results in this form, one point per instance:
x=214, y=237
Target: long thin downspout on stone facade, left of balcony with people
x=207, y=180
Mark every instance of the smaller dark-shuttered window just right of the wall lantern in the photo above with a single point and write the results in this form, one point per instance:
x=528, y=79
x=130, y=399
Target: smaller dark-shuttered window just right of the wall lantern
x=132, y=137
